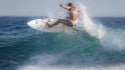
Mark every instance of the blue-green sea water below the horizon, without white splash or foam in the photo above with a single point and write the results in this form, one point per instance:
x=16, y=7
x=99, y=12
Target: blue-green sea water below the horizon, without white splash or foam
x=22, y=45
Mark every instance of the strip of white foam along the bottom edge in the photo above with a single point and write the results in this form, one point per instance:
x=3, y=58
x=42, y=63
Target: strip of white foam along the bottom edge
x=31, y=67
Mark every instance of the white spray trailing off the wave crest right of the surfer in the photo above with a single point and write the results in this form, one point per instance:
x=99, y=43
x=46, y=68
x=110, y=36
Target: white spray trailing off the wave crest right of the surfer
x=111, y=38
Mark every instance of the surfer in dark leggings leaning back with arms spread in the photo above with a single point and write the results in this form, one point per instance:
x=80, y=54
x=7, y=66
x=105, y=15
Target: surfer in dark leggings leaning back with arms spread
x=71, y=20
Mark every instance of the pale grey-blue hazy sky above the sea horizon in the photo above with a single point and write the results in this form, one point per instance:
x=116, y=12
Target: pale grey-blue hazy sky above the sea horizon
x=51, y=7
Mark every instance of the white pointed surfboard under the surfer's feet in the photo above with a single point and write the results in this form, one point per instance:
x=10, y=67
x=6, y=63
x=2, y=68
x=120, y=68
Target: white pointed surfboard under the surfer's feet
x=40, y=24
